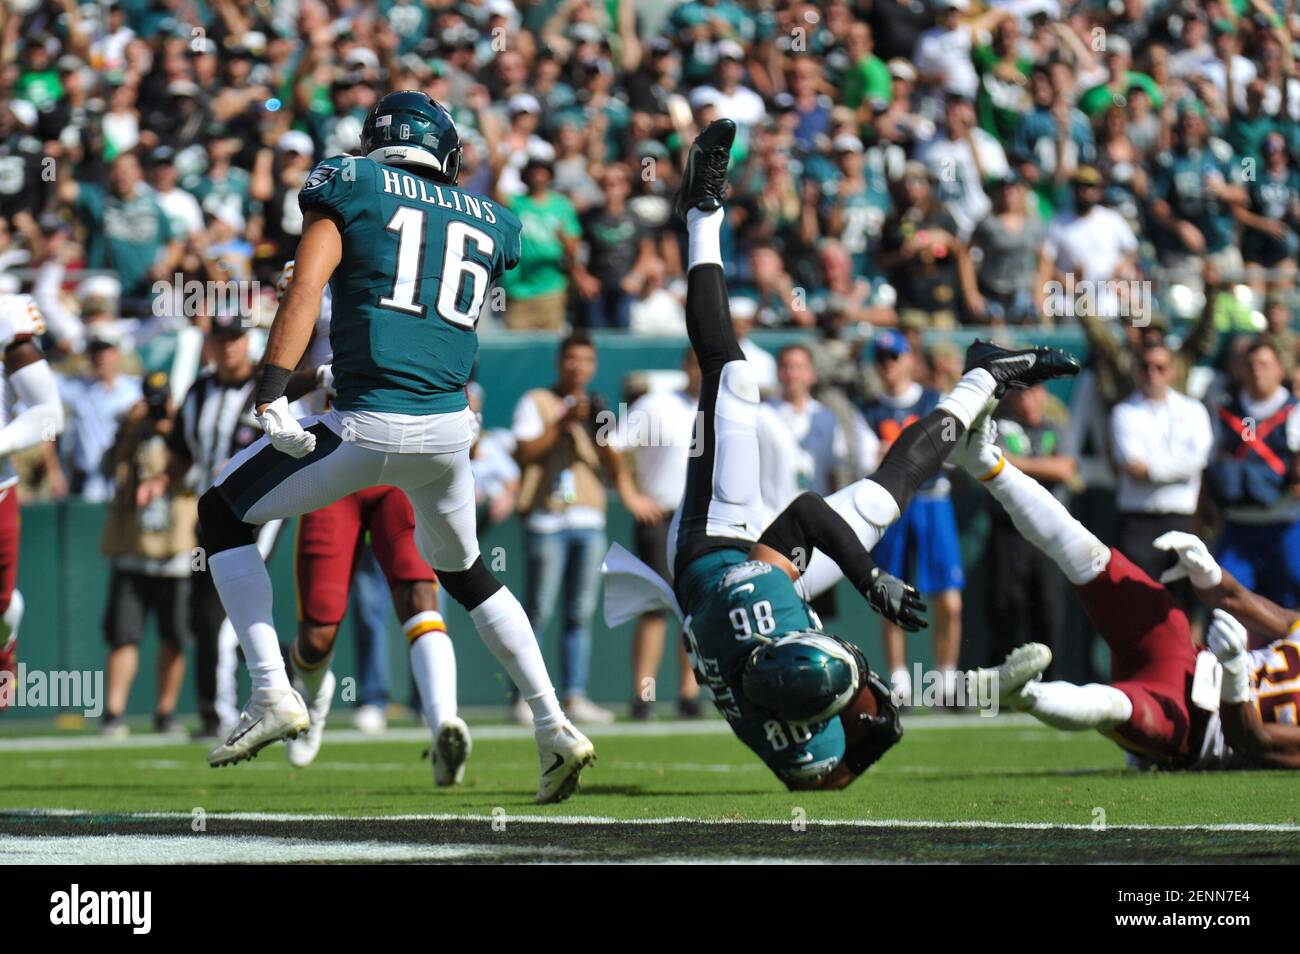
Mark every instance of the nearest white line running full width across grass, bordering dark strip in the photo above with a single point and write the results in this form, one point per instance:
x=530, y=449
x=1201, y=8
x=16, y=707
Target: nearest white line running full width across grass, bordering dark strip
x=578, y=821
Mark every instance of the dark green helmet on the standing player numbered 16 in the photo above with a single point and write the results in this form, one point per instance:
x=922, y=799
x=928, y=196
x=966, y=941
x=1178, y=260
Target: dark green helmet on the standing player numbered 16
x=409, y=129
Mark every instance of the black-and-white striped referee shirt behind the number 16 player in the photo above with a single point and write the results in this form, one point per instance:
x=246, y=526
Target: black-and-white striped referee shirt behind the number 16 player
x=216, y=423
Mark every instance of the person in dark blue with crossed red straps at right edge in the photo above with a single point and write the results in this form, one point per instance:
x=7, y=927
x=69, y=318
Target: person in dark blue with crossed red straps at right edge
x=1254, y=476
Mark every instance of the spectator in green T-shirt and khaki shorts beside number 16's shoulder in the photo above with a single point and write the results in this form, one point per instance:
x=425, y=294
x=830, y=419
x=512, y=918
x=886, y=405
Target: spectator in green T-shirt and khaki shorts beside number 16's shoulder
x=538, y=290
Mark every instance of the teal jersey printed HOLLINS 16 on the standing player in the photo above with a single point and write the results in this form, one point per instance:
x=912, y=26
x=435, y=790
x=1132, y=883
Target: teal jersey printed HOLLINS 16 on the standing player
x=419, y=259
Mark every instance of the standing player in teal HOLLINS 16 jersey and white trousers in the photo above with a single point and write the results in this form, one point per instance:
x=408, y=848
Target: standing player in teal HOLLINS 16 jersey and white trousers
x=410, y=259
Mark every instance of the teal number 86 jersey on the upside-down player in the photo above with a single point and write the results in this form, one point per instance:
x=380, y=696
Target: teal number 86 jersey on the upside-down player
x=733, y=605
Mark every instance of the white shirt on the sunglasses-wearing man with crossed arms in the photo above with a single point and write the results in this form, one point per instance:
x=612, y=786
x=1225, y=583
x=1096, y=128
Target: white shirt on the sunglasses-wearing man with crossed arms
x=1173, y=439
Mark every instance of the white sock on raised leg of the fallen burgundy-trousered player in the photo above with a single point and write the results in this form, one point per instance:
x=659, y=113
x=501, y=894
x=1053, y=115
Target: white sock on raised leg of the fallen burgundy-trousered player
x=1047, y=524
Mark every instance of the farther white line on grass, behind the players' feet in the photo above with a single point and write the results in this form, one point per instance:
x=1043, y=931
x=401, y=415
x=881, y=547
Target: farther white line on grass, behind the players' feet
x=705, y=727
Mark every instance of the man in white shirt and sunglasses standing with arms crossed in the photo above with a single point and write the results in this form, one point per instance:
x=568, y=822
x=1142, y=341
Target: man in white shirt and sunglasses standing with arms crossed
x=1163, y=443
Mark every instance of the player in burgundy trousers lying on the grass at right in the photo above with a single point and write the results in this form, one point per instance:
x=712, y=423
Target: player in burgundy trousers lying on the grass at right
x=1167, y=705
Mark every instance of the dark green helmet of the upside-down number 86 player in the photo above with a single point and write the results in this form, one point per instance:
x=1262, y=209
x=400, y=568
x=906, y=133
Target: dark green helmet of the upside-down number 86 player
x=804, y=677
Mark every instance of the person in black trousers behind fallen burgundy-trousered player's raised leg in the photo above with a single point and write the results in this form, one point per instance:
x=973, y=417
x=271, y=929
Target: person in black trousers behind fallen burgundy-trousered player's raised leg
x=1025, y=589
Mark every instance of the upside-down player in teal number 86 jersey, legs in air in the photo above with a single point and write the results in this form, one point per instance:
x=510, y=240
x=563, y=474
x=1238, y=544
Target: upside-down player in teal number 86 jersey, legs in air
x=805, y=701
